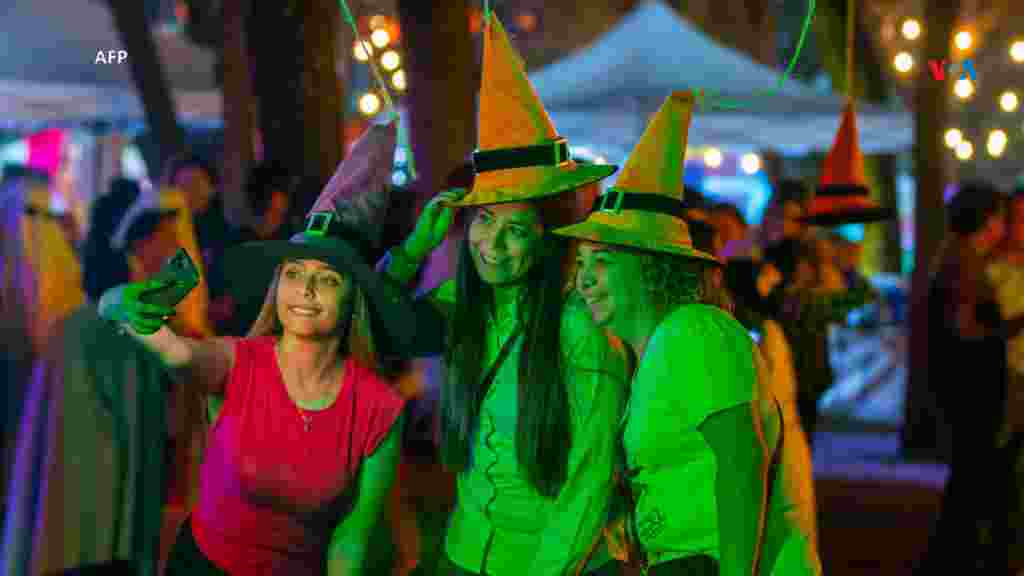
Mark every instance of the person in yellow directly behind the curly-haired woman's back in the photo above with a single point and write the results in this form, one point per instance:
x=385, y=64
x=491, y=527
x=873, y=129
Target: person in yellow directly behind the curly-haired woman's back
x=750, y=283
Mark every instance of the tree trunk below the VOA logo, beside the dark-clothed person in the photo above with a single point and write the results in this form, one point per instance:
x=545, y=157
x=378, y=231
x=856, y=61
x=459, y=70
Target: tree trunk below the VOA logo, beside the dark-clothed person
x=921, y=433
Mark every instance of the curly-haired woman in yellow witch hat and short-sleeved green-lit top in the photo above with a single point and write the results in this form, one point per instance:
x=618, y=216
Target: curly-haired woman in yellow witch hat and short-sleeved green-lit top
x=698, y=426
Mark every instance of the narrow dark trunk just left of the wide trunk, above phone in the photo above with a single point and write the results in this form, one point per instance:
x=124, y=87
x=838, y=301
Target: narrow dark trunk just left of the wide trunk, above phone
x=238, y=112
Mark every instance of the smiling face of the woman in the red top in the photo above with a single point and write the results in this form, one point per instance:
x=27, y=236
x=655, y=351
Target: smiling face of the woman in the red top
x=313, y=299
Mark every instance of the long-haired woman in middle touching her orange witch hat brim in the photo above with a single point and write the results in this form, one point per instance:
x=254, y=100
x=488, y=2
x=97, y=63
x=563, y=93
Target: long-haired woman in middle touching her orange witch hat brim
x=535, y=390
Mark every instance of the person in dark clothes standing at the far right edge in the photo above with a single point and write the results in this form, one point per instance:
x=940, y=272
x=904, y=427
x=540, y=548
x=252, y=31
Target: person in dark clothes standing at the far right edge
x=968, y=337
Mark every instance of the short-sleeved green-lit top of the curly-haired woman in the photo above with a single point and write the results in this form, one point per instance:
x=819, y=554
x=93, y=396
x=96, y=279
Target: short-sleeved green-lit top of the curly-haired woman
x=700, y=361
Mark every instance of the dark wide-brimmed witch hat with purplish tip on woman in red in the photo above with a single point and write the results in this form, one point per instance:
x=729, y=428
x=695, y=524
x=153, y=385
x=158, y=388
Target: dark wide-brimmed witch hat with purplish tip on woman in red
x=340, y=231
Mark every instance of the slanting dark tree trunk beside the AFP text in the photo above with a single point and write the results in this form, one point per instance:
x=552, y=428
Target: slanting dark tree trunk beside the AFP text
x=151, y=83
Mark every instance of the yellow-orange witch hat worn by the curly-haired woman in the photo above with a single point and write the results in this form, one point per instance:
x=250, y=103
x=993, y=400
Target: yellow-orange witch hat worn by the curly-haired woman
x=646, y=208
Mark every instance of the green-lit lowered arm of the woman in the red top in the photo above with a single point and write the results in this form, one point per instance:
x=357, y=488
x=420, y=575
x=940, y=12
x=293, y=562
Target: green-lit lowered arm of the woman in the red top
x=351, y=541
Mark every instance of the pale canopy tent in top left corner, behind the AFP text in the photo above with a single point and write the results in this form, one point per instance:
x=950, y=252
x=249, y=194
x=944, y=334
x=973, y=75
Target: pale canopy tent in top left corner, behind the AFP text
x=50, y=73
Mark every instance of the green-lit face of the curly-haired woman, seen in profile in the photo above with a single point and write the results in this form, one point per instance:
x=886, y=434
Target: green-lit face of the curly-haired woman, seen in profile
x=612, y=283
